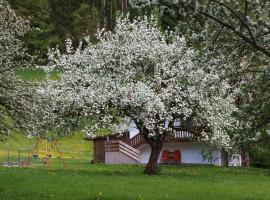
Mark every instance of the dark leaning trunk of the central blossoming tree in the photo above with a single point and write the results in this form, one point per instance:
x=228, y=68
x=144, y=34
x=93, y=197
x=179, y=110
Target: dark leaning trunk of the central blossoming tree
x=152, y=163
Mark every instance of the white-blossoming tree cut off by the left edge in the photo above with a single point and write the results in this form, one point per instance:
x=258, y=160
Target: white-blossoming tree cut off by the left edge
x=20, y=107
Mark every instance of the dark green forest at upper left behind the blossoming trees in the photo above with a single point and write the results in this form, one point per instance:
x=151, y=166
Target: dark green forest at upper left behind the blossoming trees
x=54, y=21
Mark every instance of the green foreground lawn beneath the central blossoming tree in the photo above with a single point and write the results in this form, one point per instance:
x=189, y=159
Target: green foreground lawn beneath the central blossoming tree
x=81, y=180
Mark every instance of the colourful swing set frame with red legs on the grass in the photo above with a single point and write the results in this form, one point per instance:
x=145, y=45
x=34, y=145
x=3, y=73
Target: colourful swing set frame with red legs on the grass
x=45, y=149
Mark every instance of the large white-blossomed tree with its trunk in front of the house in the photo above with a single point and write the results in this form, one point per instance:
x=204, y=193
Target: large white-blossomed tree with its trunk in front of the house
x=139, y=73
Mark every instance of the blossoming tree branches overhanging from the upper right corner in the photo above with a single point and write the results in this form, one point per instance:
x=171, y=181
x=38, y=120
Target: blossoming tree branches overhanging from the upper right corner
x=236, y=32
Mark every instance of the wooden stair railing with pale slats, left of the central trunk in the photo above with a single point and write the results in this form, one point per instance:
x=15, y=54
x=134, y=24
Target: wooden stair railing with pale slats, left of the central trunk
x=119, y=146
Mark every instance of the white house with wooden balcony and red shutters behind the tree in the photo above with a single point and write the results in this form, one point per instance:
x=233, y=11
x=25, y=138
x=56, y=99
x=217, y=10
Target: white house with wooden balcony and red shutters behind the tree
x=181, y=147
